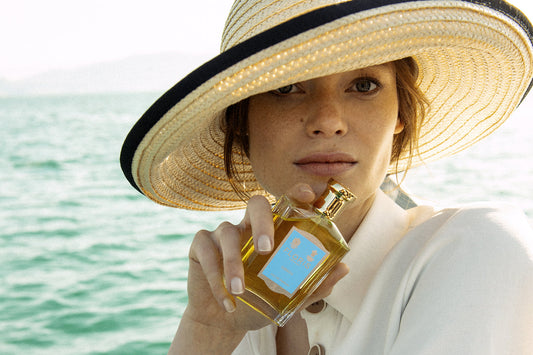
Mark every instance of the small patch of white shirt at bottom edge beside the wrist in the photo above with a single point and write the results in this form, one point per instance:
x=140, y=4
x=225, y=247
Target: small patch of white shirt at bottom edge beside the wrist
x=258, y=342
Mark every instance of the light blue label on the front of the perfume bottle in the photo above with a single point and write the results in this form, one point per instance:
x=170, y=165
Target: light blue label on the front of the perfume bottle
x=294, y=260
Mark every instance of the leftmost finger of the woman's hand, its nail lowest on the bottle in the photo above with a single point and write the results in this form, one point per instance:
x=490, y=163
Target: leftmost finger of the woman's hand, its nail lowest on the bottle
x=205, y=252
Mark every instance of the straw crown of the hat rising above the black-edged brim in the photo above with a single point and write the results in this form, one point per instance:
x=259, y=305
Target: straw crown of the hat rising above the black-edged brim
x=248, y=18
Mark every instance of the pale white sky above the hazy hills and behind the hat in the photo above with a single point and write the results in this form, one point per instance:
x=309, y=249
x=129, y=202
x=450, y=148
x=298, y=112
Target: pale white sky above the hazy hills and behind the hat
x=38, y=36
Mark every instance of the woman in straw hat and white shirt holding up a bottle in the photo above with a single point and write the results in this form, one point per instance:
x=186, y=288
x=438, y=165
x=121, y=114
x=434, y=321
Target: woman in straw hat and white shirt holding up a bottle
x=353, y=90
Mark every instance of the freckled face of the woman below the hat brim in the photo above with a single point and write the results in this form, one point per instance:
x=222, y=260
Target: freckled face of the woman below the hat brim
x=339, y=126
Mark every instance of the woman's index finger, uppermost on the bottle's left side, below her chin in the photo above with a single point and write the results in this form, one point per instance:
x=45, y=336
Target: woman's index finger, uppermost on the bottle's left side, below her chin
x=258, y=219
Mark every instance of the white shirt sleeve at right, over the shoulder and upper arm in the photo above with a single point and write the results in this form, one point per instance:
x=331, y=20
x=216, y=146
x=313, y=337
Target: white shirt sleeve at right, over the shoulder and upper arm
x=472, y=288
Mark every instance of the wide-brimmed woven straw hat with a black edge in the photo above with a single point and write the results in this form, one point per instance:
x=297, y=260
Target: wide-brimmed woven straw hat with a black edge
x=475, y=61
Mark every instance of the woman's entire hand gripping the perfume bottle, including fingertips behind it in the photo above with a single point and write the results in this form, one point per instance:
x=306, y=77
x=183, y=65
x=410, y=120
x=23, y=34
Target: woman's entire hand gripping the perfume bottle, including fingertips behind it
x=216, y=256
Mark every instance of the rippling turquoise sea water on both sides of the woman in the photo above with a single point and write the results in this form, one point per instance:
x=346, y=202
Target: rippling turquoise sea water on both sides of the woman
x=89, y=266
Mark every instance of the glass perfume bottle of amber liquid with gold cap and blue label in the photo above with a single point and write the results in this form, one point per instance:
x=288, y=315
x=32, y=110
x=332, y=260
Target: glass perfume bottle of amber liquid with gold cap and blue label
x=307, y=245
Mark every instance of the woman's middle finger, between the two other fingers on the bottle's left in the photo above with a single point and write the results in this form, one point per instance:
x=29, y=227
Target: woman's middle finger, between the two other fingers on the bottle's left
x=229, y=240
